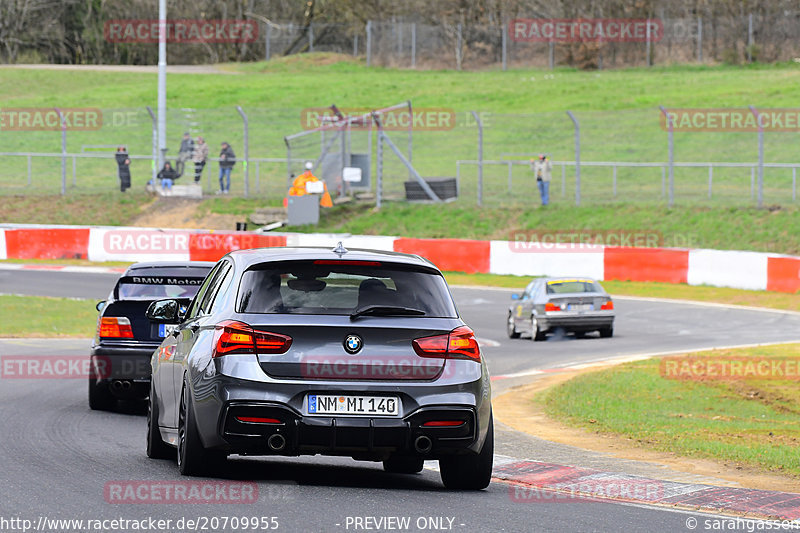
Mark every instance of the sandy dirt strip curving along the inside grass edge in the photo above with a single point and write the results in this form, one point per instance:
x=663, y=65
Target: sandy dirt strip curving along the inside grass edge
x=518, y=410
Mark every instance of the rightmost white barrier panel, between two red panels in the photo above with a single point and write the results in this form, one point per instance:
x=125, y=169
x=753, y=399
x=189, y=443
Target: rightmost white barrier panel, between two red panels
x=740, y=270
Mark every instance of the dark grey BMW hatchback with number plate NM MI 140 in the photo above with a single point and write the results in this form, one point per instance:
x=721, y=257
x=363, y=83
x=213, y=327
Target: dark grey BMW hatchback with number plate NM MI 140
x=304, y=351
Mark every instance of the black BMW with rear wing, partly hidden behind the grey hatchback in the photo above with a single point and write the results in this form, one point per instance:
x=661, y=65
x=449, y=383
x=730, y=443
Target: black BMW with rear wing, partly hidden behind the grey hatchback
x=125, y=338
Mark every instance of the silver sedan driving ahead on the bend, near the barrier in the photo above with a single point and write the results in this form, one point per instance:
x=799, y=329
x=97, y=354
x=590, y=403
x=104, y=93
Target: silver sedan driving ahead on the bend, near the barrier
x=576, y=305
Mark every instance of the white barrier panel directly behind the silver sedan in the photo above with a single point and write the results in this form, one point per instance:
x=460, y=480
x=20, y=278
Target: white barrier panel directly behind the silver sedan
x=508, y=258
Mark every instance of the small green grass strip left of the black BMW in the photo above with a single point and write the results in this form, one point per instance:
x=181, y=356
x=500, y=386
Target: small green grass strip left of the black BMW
x=38, y=316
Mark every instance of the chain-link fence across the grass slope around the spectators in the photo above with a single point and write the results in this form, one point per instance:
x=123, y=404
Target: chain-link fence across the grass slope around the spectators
x=624, y=156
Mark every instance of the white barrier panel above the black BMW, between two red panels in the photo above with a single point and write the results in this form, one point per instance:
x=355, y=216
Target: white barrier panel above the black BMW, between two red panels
x=138, y=244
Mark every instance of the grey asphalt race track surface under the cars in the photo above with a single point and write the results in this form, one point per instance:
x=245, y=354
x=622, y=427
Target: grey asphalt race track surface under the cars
x=58, y=456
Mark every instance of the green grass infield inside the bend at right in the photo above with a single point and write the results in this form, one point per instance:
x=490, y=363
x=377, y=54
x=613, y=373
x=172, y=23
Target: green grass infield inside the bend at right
x=750, y=421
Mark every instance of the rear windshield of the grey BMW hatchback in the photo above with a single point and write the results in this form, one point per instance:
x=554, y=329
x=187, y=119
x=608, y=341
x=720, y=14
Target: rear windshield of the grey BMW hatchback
x=343, y=288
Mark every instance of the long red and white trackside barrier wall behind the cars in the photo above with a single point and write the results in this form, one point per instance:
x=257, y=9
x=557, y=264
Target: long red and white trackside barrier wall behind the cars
x=743, y=270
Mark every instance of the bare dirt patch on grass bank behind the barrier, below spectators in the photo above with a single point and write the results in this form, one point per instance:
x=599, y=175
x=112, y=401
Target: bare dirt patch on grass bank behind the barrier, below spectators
x=183, y=213
